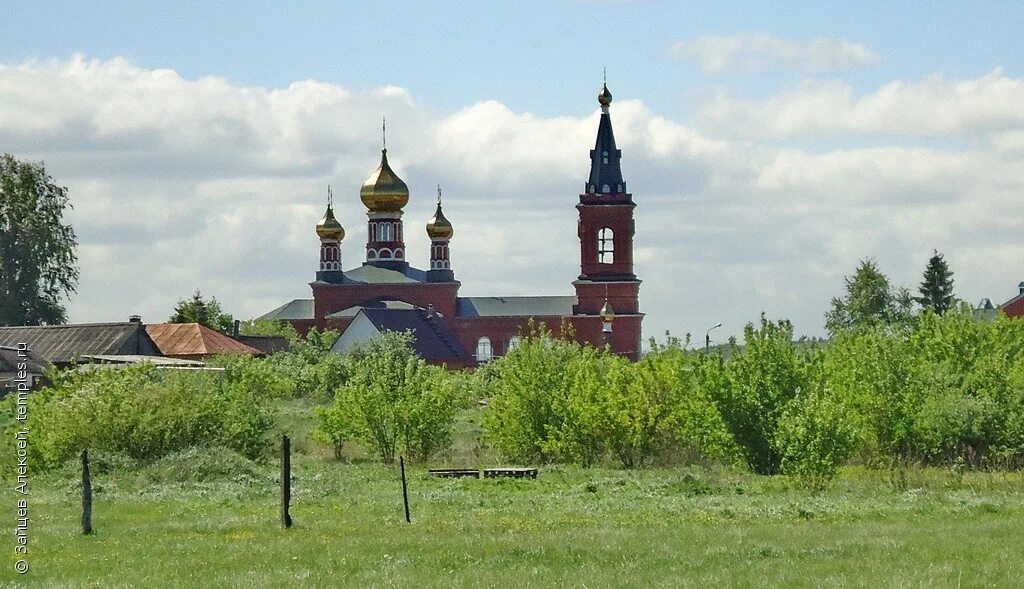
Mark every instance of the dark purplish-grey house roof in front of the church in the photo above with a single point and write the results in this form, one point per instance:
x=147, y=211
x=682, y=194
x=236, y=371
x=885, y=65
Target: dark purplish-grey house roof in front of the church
x=435, y=340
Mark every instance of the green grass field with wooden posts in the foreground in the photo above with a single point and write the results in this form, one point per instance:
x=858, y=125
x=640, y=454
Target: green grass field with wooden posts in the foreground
x=686, y=527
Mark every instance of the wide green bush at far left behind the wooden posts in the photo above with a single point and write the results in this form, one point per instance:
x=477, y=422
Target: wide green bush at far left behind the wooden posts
x=146, y=413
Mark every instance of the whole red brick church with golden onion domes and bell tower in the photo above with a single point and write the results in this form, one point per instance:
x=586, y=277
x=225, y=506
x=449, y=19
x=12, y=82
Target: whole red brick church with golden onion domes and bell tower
x=386, y=293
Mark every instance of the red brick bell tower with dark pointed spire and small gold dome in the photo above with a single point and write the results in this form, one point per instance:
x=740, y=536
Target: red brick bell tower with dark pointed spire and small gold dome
x=606, y=230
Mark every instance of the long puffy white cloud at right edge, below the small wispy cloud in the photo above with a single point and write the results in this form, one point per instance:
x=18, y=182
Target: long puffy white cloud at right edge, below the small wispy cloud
x=933, y=107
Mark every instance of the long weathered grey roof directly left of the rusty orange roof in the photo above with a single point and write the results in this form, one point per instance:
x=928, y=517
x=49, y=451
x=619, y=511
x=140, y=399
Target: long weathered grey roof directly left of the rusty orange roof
x=63, y=344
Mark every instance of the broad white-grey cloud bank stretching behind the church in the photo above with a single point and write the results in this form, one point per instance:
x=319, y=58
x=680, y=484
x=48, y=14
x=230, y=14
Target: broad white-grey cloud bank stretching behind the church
x=184, y=184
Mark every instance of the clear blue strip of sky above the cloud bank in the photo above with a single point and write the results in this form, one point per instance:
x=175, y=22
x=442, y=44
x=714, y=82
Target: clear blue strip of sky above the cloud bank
x=534, y=56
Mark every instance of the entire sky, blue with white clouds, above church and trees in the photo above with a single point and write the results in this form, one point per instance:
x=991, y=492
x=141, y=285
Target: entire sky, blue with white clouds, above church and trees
x=770, y=147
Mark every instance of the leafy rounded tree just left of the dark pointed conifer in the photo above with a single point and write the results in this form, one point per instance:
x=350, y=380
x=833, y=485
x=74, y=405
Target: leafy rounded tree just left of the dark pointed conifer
x=870, y=301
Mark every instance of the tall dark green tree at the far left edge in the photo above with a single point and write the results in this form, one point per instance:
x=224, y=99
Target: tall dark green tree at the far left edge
x=38, y=266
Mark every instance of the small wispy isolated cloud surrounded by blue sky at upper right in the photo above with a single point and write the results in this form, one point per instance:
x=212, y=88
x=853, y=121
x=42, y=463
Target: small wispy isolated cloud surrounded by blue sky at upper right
x=761, y=52
